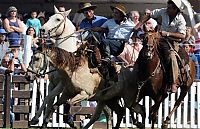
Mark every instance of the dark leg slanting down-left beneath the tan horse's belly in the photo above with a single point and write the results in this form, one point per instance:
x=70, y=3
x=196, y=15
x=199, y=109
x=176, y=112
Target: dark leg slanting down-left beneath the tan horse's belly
x=96, y=115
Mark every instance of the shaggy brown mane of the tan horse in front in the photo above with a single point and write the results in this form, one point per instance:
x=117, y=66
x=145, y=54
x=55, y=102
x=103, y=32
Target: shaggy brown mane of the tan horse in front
x=63, y=58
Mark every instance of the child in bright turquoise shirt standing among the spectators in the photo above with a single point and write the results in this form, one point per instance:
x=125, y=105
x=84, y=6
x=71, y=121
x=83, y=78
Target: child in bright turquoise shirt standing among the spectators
x=34, y=22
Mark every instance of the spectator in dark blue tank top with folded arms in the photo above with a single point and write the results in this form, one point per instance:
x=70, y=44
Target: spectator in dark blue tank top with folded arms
x=13, y=27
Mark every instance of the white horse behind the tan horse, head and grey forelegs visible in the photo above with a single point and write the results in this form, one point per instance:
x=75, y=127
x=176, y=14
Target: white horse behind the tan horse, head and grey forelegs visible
x=61, y=29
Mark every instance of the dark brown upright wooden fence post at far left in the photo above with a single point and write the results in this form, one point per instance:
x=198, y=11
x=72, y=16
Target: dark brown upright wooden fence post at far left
x=7, y=93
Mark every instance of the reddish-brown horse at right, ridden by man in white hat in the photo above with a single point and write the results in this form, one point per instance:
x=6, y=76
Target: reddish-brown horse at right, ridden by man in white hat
x=152, y=81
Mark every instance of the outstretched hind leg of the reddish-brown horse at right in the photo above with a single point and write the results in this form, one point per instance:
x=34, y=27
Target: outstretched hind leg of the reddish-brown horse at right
x=176, y=105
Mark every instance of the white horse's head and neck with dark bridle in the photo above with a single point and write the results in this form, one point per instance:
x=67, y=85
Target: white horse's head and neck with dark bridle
x=60, y=28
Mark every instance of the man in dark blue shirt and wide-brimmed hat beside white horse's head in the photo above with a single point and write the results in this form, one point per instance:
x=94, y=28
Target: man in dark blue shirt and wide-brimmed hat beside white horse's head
x=90, y=20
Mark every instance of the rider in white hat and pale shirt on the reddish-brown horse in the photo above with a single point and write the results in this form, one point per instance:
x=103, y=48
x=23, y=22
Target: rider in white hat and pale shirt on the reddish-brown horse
x=173, y=26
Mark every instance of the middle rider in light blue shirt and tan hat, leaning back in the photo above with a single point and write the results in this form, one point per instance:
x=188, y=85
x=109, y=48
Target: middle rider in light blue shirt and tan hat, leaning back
x=118, y=30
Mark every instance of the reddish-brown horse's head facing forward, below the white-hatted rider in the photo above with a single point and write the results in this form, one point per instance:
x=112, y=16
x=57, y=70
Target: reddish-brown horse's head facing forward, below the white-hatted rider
x=150, y=42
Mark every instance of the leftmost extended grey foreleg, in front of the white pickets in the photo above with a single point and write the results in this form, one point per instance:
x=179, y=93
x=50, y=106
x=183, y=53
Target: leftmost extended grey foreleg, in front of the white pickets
x=48, y=100
